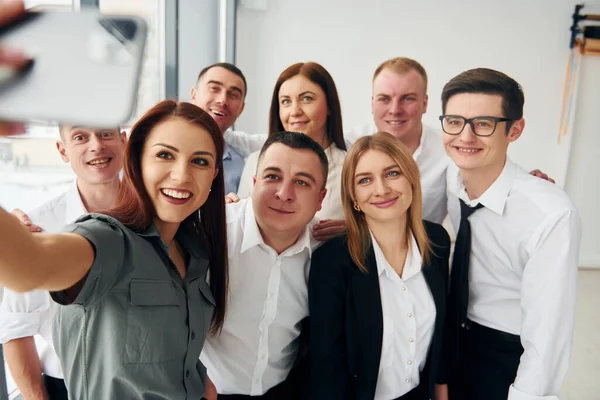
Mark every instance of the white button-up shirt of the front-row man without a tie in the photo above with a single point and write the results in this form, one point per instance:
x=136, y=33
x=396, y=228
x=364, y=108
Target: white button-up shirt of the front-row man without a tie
x=268, y=299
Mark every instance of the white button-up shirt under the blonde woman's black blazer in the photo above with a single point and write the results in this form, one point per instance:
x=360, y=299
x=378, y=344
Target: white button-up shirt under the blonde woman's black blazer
x=408, y=319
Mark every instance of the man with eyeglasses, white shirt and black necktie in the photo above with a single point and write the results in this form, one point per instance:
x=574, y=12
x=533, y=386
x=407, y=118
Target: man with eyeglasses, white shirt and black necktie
x=513, y=285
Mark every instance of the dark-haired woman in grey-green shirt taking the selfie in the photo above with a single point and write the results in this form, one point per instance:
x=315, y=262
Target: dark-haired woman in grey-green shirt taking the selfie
x=133, y=280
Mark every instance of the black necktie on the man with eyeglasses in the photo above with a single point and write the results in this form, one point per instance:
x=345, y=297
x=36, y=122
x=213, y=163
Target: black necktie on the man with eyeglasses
x=459, y=278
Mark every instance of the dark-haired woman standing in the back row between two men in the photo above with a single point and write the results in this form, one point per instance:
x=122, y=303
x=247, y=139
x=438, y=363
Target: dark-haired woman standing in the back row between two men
x=305, y=99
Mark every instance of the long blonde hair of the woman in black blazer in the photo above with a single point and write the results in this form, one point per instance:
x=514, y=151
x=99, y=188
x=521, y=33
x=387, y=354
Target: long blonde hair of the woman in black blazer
x=359, y=238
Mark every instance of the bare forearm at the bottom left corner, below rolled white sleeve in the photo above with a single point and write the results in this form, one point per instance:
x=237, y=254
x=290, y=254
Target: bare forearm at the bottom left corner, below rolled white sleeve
x=24, y=366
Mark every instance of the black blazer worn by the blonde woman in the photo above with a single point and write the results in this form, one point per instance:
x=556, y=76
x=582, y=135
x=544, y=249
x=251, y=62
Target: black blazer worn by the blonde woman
x=346, y=320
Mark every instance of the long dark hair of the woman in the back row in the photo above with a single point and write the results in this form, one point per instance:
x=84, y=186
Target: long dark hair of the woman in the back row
x=318, y=74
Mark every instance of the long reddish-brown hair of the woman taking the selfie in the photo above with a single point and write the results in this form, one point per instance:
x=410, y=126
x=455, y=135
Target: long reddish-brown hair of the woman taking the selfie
x=135, y=210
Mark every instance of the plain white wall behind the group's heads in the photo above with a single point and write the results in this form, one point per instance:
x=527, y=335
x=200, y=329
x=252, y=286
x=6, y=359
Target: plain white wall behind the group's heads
x=527, y=39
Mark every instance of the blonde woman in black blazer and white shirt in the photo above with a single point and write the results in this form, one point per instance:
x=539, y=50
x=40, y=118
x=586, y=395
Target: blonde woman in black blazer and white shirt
x=377, y=296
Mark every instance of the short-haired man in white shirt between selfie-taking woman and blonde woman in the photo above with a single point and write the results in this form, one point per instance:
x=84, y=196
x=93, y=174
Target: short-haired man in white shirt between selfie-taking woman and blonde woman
x=270, y=246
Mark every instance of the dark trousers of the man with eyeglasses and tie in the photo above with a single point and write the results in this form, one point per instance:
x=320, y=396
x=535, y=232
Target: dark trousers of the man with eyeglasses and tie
x=489, y=363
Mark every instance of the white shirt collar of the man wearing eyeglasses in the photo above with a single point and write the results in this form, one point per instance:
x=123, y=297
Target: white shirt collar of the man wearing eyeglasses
x=495, y=197
